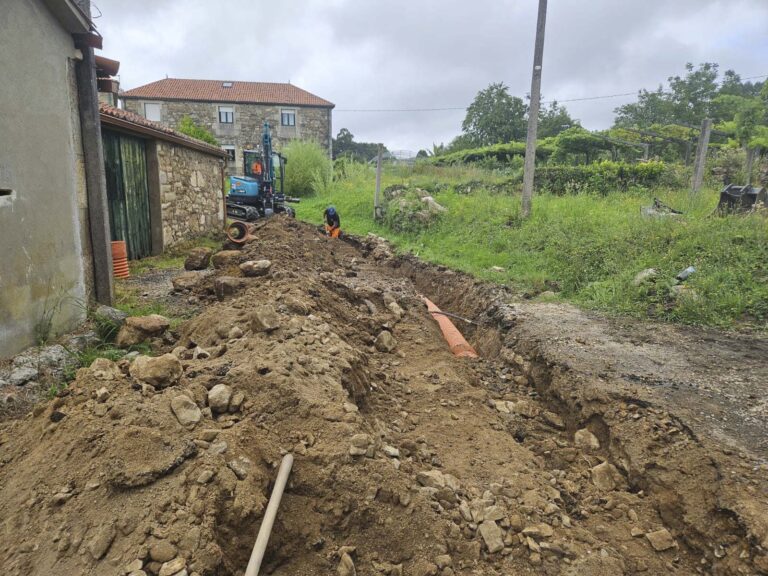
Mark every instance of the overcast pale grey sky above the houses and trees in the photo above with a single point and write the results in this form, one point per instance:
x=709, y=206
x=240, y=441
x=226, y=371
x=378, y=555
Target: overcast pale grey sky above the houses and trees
x=373, y=54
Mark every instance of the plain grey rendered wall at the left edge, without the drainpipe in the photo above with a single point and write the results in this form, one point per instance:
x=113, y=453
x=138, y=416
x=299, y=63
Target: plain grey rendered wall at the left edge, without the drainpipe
x=43, y=247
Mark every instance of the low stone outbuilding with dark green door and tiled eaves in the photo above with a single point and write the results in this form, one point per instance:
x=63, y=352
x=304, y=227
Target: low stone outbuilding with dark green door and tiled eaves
x=162, y=186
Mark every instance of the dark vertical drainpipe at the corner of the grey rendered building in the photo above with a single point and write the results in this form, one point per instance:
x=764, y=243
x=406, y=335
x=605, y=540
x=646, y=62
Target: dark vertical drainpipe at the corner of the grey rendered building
x=95, y=181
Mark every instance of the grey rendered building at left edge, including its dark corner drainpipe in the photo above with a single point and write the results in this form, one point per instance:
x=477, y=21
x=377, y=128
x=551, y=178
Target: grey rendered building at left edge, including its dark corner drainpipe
x=54, y=229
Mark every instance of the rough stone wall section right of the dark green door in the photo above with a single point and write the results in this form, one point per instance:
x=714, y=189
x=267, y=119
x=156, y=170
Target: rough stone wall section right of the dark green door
x=190, y=192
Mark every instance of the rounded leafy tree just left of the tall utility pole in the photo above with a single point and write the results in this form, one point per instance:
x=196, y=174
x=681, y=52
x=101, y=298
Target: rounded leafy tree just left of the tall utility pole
x=495, y=117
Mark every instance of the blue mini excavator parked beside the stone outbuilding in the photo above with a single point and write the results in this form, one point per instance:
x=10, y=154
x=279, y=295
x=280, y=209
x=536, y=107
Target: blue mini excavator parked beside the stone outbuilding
x=259, y=193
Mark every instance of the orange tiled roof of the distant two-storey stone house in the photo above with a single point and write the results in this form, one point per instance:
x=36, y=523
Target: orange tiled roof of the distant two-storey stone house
x=215, y=91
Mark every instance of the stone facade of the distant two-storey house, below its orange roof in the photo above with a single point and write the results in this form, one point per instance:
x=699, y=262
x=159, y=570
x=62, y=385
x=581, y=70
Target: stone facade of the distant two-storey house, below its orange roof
x=245, y=133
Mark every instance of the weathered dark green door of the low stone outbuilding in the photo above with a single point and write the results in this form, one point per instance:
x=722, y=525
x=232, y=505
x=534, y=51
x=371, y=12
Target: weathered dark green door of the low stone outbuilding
x=125, y=167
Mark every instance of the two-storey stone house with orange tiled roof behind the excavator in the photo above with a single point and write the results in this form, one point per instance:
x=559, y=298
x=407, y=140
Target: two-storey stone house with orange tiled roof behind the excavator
x=235, y=112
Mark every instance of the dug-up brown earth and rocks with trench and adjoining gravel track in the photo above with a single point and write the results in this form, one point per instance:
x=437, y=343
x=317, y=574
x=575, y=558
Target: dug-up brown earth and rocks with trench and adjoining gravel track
x=574, y=445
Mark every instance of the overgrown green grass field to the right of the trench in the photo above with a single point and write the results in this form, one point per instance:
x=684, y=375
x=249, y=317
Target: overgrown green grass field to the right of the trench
x=585, y=248
